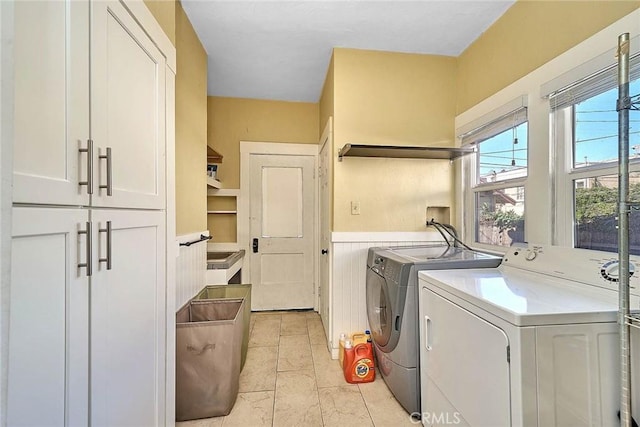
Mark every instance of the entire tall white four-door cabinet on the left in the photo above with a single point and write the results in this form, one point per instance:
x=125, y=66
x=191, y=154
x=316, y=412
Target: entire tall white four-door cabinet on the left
x=91, y=143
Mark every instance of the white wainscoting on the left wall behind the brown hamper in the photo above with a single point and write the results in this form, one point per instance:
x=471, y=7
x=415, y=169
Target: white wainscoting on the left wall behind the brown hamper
x=191, y=267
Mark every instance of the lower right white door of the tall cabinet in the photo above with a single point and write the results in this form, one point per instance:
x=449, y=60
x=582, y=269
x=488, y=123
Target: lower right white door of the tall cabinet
x=128, y=320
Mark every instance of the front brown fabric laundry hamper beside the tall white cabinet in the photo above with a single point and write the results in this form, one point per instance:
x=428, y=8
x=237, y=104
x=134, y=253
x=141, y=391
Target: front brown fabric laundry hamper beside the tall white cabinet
x=208, y=346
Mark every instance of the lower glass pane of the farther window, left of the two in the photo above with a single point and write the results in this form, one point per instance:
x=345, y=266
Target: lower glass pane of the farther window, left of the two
x=500, y=216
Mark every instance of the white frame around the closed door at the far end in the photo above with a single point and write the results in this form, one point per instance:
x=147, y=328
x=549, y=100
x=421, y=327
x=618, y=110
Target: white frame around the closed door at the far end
x=248, y=148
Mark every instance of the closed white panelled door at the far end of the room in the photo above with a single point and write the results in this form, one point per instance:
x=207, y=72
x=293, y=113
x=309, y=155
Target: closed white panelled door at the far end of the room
x=282, y=231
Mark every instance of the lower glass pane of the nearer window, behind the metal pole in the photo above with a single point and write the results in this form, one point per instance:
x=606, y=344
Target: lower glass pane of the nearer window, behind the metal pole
x=595, y=201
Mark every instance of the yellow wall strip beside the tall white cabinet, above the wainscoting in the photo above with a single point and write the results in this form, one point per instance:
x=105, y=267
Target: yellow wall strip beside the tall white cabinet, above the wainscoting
x=191, y=128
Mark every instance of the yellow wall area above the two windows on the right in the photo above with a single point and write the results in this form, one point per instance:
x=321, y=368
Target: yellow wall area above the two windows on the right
x=528, y=35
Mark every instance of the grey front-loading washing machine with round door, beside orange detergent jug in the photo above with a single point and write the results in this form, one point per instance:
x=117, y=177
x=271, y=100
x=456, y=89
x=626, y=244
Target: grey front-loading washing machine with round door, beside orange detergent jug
x=392, y=308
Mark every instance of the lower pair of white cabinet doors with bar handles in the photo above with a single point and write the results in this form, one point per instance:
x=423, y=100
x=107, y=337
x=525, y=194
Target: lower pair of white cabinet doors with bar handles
x=87, y=349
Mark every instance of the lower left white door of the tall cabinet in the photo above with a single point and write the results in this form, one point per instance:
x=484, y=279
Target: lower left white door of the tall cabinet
x=48, y=333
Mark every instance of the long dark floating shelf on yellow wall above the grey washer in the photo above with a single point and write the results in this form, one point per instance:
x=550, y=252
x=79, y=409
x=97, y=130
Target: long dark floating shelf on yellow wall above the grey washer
x=402, y=152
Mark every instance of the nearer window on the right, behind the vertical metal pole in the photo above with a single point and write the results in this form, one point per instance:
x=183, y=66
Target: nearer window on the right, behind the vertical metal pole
x=585, y=129
